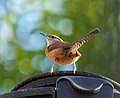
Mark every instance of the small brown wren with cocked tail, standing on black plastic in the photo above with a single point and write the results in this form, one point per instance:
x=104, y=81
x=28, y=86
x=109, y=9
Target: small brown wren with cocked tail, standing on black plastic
x=63, y=53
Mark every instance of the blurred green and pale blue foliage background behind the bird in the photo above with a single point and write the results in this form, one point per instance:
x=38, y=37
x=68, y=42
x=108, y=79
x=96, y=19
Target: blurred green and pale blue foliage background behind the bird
x=22, y=48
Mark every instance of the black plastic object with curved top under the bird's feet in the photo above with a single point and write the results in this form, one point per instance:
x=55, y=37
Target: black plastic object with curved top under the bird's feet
x=65, y=84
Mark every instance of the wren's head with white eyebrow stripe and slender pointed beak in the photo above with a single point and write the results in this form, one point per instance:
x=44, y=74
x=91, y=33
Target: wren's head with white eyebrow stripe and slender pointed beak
x=51, y=38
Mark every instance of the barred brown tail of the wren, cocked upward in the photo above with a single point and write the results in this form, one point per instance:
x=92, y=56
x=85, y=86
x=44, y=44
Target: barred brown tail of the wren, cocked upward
x=90, y=35
